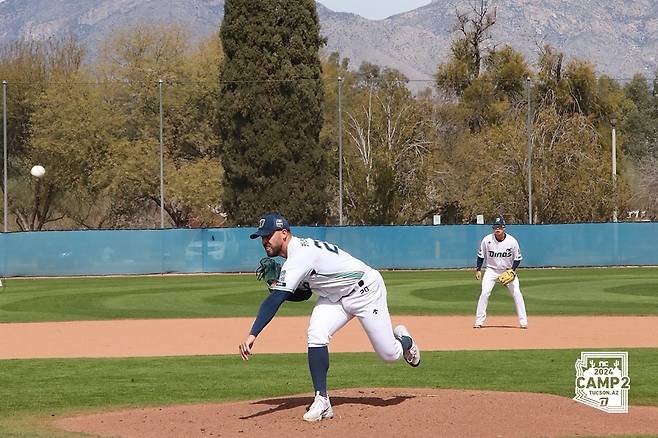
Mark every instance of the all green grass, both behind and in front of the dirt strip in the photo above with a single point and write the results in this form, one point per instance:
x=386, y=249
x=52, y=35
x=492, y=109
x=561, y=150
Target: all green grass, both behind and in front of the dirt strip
x=32, y=391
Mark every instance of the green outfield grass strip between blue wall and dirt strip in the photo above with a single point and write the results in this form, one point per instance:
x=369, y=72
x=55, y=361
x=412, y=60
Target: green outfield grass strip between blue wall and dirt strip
x=597, y=291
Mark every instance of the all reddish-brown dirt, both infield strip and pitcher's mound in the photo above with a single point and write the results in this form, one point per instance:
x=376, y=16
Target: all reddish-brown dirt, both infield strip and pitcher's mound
x=359, y=412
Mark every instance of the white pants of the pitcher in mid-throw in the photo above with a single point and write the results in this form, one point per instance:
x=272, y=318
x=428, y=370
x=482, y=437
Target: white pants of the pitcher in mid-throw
x=368, y=303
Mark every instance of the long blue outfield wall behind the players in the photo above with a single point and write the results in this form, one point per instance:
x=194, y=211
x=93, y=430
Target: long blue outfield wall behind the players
x=51, y=253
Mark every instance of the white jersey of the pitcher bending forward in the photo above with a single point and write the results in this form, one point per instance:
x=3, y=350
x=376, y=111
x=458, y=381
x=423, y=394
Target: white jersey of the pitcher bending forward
x=329, y=271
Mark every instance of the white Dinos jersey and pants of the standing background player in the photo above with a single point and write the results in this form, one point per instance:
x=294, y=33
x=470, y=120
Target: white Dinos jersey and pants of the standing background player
x=498, y=257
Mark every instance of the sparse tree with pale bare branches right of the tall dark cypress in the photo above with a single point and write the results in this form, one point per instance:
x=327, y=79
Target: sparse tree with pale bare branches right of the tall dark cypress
x=388, y=149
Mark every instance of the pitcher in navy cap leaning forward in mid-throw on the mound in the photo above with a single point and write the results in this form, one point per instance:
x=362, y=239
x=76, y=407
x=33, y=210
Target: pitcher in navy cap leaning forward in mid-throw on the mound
x=346, y=286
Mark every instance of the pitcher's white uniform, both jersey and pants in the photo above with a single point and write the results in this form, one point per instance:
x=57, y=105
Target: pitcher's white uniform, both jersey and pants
x=347, y=288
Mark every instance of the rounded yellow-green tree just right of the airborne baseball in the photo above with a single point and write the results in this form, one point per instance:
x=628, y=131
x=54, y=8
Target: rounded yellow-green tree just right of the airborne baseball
x=71, y=132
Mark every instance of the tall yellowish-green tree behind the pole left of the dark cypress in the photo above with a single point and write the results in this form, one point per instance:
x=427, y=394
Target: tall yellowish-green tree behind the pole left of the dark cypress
x=130, y=64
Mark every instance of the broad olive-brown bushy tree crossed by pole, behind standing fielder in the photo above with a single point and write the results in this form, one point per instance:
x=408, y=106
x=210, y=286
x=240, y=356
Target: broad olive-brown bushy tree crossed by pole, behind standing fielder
x=570, y=171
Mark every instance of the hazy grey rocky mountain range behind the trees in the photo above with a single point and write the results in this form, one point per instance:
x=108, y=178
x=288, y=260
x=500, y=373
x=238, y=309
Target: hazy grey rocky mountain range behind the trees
x=619, y=36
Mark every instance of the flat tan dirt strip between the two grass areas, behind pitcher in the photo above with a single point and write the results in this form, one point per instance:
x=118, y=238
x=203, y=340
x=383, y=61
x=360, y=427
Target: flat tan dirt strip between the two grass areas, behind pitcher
x=182, y=337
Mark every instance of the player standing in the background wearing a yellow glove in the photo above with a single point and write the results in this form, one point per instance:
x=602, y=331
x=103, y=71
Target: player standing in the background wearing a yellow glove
x=502, y=255
